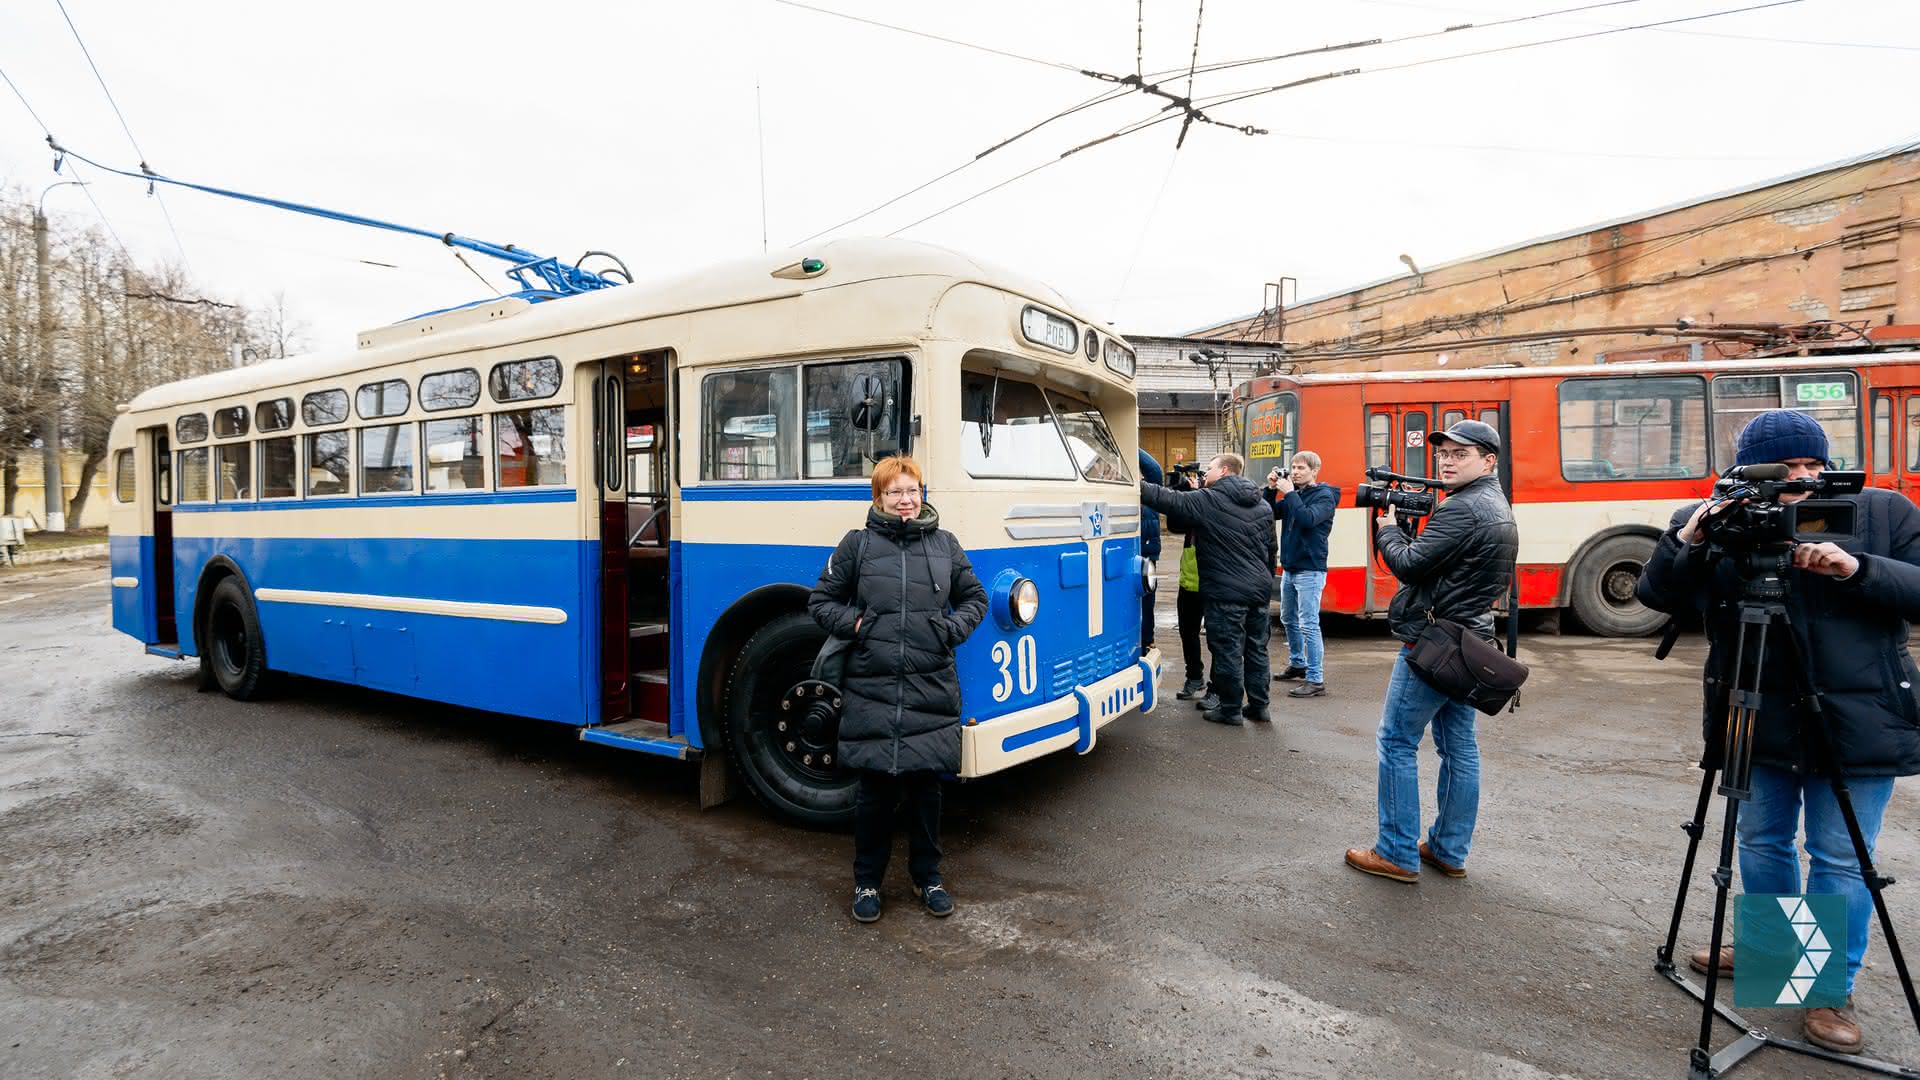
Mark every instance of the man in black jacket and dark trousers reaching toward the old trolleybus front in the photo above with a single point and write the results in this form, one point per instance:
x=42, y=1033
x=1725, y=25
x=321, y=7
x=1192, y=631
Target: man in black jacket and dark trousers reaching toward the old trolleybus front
x=1236, y=529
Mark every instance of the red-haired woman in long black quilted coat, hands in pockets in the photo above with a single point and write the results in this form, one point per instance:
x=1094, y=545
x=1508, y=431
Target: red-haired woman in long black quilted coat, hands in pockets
x=905, y=595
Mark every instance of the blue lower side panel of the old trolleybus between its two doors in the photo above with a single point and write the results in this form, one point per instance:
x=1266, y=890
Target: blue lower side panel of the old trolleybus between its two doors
x=529, y=670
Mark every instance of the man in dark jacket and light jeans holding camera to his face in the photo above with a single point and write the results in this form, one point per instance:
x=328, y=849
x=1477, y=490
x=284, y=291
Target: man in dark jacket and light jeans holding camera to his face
x=1305, y=508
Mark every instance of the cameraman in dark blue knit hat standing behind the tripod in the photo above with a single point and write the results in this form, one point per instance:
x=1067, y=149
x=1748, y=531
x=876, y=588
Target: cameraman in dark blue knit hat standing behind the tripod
x=1852, y=606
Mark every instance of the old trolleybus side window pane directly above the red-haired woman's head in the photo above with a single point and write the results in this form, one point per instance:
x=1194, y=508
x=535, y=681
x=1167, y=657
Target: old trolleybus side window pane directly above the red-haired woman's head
x=855, y=416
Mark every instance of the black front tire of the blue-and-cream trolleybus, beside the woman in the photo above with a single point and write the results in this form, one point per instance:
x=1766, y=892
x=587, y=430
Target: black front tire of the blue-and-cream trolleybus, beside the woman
x=777, y=658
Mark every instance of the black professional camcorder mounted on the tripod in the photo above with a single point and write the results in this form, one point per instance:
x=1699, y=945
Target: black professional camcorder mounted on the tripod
x=1756, y=518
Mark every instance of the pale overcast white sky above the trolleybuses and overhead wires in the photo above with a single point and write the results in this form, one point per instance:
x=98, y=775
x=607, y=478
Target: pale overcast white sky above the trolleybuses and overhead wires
x=638, y=130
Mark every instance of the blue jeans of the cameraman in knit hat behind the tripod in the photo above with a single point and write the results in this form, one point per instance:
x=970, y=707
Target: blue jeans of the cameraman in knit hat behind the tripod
x=1771, y=822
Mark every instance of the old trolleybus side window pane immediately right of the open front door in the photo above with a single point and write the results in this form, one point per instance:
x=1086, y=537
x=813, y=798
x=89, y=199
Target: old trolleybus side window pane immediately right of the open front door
x=748, y=426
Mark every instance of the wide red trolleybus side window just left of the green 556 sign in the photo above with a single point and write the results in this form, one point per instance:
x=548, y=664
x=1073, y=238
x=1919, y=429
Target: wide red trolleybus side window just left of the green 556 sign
x=1633, y=430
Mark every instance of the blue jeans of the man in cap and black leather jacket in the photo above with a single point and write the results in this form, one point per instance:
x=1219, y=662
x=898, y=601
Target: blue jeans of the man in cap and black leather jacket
x=1410, y=706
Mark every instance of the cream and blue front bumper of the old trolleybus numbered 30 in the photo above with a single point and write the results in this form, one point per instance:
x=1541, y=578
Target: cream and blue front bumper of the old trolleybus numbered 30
x=1068, y=722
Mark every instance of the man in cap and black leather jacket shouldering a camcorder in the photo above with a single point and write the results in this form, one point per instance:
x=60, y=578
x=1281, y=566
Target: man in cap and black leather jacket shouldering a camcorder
x=1458, y=568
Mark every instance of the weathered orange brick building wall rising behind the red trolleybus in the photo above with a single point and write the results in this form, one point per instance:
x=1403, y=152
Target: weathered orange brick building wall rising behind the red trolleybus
x=1833, y=243
